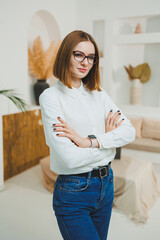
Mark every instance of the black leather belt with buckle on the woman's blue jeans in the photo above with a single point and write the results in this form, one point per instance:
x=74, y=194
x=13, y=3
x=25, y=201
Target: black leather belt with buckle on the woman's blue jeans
x=100, y=172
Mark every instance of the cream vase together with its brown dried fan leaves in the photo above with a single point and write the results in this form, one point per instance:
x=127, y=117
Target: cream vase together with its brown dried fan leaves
x=138, y=75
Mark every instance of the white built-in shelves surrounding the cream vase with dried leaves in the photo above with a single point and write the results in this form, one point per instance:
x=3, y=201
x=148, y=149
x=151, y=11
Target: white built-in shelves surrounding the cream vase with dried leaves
x=133, y=48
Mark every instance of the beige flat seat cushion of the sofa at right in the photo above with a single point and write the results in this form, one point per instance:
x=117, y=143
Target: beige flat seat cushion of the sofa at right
x=145, y=144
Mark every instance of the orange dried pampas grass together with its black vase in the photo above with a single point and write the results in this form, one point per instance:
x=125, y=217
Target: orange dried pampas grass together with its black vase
x=40, y=64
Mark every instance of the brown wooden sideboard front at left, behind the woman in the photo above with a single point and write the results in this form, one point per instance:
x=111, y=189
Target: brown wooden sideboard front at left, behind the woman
x=23, y=142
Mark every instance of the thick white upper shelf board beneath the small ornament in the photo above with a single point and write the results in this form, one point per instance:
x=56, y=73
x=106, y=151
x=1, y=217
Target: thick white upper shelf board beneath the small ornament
x=142, y=38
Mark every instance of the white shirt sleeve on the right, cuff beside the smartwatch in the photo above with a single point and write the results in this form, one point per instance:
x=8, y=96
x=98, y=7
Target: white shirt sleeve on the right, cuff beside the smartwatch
x=119, y=136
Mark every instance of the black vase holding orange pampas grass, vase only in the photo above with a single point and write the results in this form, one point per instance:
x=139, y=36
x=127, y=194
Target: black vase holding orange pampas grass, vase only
x=39, y=87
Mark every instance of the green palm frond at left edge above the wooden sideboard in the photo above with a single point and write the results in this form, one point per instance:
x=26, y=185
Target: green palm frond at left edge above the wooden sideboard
x=13, y=96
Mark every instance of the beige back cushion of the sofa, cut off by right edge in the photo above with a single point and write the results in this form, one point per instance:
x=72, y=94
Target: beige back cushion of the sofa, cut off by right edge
x=151, y=129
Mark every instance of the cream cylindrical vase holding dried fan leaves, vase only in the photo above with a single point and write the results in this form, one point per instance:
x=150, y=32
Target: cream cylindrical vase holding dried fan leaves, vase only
x=136, y=92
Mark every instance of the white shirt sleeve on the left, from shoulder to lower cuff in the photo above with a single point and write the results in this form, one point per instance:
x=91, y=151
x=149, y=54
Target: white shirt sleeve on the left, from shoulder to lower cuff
x=70, y=155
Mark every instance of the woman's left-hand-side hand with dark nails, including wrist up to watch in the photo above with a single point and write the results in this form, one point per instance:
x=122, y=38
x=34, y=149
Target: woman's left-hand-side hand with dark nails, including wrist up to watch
x=66, y=131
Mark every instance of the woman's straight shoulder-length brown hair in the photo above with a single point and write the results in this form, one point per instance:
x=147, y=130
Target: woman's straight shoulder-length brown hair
x=61, y=69
